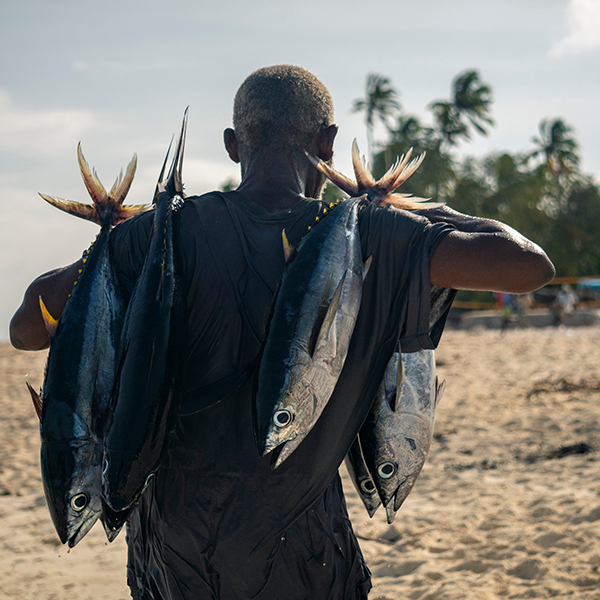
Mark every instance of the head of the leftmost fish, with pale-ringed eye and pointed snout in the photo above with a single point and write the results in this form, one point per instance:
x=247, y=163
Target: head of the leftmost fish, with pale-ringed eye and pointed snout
x=72, y=477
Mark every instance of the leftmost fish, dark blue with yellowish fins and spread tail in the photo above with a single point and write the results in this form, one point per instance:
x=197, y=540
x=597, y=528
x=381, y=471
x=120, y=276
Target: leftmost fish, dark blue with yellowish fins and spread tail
x=72, y=406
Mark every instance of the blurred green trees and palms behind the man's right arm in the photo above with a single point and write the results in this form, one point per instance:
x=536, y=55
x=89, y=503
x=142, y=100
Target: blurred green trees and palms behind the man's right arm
x=540, y=192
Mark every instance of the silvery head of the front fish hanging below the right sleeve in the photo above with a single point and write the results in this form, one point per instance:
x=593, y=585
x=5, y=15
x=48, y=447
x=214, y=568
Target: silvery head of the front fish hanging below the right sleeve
x=401, y=457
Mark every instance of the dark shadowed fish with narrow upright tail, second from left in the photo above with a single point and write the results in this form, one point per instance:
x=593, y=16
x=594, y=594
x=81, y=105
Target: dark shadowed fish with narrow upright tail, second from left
x=147, y=393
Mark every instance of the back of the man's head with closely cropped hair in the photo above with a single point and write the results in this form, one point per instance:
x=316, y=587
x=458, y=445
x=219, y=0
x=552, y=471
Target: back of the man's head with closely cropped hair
x=282, y=108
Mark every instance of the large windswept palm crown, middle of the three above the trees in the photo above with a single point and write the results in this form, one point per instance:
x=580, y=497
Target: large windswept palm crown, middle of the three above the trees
x=469, y=108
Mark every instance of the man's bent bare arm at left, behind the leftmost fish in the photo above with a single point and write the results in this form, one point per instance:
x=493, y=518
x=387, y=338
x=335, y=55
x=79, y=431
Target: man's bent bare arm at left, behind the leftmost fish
x=27, y=329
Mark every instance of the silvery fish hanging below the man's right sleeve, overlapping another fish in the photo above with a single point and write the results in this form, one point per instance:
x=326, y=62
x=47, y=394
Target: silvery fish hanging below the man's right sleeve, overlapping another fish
x=397, y=434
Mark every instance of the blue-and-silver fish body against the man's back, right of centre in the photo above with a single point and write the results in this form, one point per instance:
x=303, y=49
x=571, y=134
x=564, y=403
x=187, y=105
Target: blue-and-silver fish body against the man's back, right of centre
x=309, y=332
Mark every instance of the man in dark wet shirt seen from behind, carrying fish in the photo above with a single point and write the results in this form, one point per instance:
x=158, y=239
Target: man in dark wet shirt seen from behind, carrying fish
x=216, y=521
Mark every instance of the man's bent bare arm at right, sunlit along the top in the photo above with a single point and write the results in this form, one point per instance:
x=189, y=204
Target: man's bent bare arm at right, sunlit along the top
x=486, y=255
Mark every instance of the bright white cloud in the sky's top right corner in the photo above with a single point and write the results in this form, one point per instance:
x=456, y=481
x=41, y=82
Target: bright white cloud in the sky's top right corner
x=583, y=28
